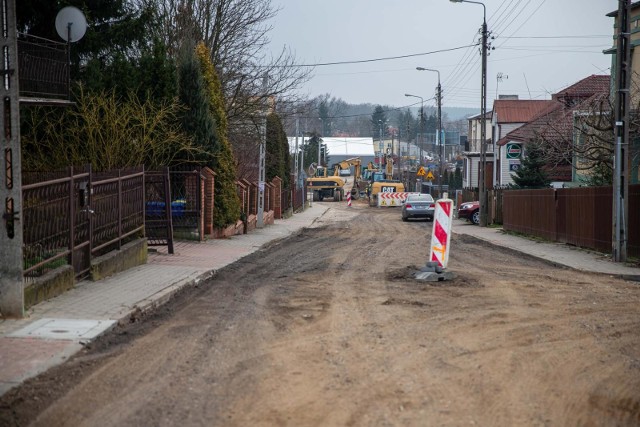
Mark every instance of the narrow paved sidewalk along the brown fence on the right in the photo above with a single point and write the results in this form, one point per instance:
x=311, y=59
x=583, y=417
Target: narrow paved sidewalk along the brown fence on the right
x=558, y=253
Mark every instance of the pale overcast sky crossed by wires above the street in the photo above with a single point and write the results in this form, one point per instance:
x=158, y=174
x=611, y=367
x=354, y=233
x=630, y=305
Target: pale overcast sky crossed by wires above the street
x=541, y=45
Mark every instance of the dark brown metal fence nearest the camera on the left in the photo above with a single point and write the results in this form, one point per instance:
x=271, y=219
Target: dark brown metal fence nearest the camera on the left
x=74, y=215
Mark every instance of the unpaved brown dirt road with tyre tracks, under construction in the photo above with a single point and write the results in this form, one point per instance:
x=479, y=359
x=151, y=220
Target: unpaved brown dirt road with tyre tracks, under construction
x=329, y=328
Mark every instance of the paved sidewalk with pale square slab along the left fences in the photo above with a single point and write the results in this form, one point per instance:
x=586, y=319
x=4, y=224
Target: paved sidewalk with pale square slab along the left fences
x=56, y=329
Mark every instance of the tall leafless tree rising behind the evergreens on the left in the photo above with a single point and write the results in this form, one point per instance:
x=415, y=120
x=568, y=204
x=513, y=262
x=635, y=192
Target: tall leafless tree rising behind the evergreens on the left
x=253, y=81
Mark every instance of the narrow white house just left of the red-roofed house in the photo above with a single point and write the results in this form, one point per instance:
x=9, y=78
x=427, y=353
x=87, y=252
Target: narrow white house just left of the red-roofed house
x=471, y=158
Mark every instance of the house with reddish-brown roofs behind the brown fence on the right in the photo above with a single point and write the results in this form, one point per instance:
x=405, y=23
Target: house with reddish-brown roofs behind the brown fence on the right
x=556, y=122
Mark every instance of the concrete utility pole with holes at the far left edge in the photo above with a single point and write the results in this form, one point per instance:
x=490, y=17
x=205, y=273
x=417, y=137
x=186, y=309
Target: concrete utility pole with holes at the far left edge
x=11, y=237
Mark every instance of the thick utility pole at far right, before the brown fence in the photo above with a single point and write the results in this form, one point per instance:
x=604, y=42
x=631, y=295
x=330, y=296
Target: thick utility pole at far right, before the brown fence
x=621, y=157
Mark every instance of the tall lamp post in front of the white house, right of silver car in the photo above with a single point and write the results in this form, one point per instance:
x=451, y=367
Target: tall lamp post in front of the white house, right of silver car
x=483, y=119
